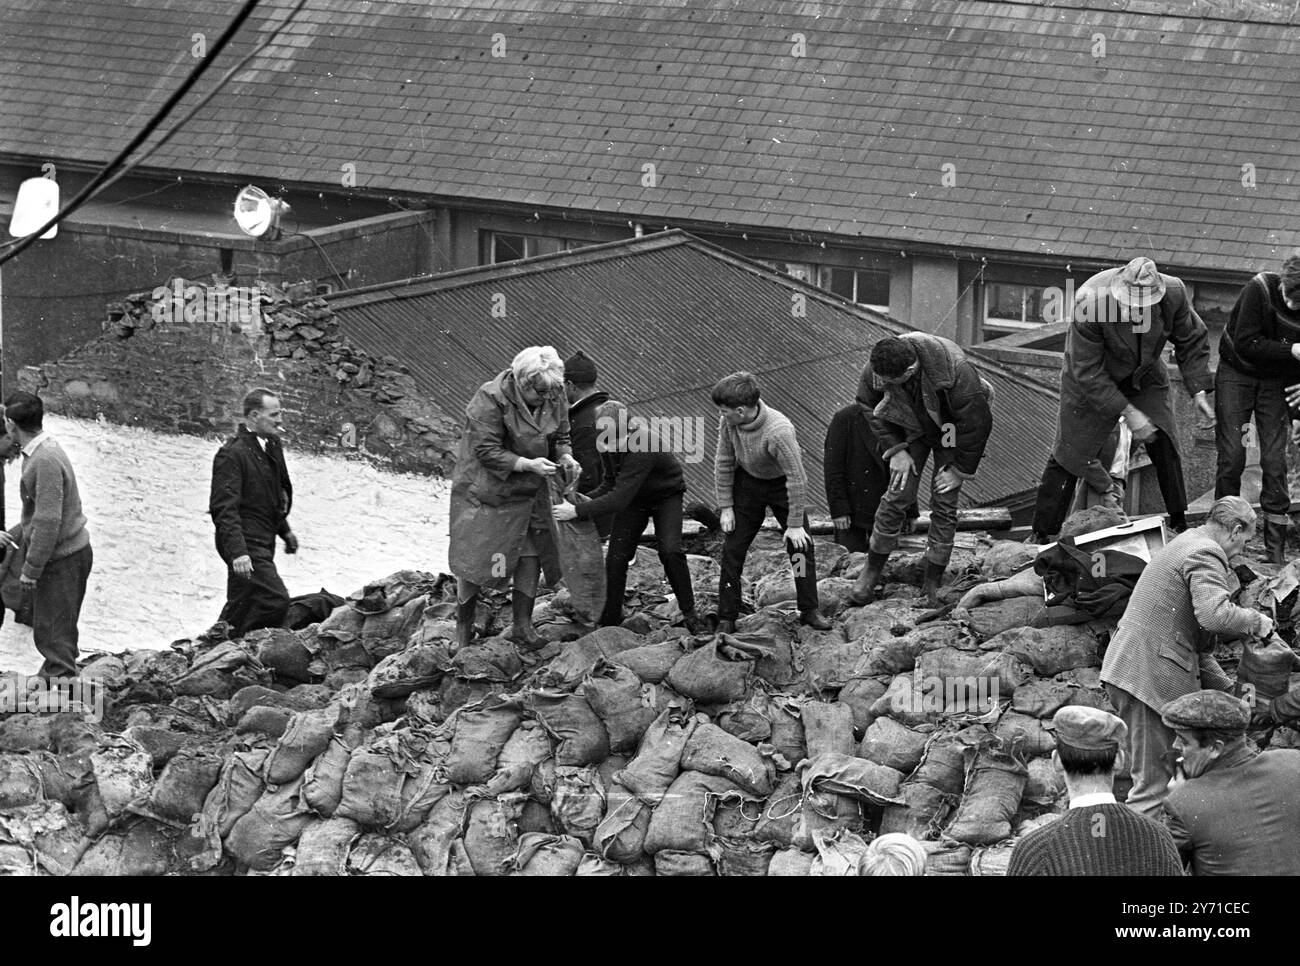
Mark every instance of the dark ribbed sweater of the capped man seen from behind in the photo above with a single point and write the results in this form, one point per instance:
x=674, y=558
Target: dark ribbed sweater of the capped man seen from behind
x=1098, y=841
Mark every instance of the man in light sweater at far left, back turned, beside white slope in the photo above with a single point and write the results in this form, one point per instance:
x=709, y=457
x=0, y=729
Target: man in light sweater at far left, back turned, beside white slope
x=53, y=538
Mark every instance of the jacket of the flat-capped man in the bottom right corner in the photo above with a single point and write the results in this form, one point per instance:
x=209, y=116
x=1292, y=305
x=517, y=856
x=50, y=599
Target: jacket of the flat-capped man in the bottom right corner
x=1242, y=816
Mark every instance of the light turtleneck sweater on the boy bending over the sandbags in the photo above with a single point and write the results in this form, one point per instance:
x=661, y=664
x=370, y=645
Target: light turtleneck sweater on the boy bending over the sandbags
x=765, y=448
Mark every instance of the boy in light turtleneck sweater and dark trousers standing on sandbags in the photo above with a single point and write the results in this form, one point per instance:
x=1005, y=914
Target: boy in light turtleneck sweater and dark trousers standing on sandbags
x=760, y=467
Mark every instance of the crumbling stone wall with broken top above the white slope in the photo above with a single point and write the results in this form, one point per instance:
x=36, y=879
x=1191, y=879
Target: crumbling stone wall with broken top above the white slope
x=184, y=362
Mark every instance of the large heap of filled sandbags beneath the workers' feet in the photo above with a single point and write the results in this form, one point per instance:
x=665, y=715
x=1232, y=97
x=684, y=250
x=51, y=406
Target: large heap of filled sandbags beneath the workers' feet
x=362, y=746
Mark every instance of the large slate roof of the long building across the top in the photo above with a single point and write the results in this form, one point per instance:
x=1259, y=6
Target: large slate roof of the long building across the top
x=1055, y=151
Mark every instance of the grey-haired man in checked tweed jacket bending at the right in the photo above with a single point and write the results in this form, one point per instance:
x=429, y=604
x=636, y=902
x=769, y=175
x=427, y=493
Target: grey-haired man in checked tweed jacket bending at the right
x=1163, y=647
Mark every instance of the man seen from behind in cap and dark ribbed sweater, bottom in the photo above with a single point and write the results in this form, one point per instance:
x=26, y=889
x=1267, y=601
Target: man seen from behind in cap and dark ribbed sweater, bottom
x=1097, y=837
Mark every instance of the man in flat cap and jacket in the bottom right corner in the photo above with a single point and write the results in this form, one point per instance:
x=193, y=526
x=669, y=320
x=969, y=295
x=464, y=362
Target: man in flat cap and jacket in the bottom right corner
x=1238, y=809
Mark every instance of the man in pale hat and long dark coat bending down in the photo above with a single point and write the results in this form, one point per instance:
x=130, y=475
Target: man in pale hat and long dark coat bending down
x=1115, y=369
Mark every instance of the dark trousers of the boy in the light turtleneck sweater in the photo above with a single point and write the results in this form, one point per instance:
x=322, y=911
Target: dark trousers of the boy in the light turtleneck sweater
x=751, y=501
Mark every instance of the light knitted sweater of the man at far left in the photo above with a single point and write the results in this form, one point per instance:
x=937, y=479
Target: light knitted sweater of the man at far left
x=53, y=522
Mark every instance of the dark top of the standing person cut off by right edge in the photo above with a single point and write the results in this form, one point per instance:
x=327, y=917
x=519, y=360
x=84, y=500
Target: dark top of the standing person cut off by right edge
x=1262, y=331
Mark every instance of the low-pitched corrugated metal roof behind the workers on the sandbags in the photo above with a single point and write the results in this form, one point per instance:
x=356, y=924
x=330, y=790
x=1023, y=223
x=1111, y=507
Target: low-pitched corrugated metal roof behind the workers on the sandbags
x=665, y=317
